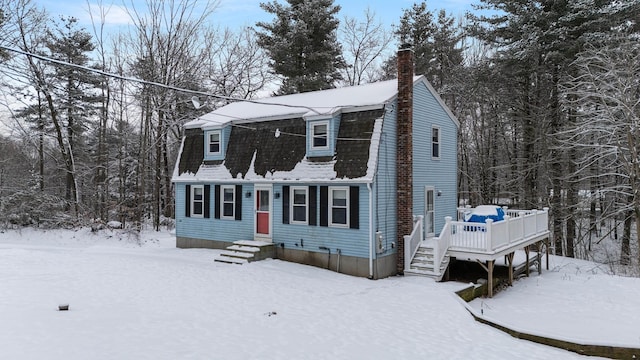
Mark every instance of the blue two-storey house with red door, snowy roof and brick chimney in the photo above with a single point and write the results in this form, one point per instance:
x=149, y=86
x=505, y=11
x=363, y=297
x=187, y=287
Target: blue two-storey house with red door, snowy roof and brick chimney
x=328, y=178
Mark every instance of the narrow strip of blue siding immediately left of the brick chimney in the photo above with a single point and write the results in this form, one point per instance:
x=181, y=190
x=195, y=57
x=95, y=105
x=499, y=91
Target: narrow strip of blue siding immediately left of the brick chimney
x=384, y=186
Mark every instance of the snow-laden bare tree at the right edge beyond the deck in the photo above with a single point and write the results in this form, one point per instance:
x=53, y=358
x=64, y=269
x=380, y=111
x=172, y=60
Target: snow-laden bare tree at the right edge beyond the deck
x=605, y=91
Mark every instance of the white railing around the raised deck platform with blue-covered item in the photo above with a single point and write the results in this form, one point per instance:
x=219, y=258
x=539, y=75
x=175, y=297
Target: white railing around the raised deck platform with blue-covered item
x=517, y=226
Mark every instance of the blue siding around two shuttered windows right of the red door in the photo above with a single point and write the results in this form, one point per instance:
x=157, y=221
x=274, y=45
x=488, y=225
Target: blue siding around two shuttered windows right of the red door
x=351, y=242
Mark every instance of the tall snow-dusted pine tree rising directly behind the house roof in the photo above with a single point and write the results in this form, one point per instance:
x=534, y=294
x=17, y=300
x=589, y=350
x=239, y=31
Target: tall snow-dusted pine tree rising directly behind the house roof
x=302, y=44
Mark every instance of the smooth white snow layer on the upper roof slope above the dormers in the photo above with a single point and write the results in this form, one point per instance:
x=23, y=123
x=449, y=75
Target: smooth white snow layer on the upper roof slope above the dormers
x=308, y=104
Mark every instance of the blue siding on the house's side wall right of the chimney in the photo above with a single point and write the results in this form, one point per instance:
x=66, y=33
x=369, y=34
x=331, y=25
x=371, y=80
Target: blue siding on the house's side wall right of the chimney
x=440, y=173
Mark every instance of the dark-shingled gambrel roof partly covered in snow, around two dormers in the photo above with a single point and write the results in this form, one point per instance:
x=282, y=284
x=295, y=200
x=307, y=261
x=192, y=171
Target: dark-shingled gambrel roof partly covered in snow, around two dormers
x=268, y=139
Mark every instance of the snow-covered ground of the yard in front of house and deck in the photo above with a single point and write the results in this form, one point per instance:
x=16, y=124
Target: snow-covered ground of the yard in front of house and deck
x=141, y=298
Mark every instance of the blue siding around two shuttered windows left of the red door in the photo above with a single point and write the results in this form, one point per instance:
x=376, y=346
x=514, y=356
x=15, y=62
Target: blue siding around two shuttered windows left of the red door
x=211, y=228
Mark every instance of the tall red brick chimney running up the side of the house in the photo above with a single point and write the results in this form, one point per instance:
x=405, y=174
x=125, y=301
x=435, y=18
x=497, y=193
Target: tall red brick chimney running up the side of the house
x=404, y=153
